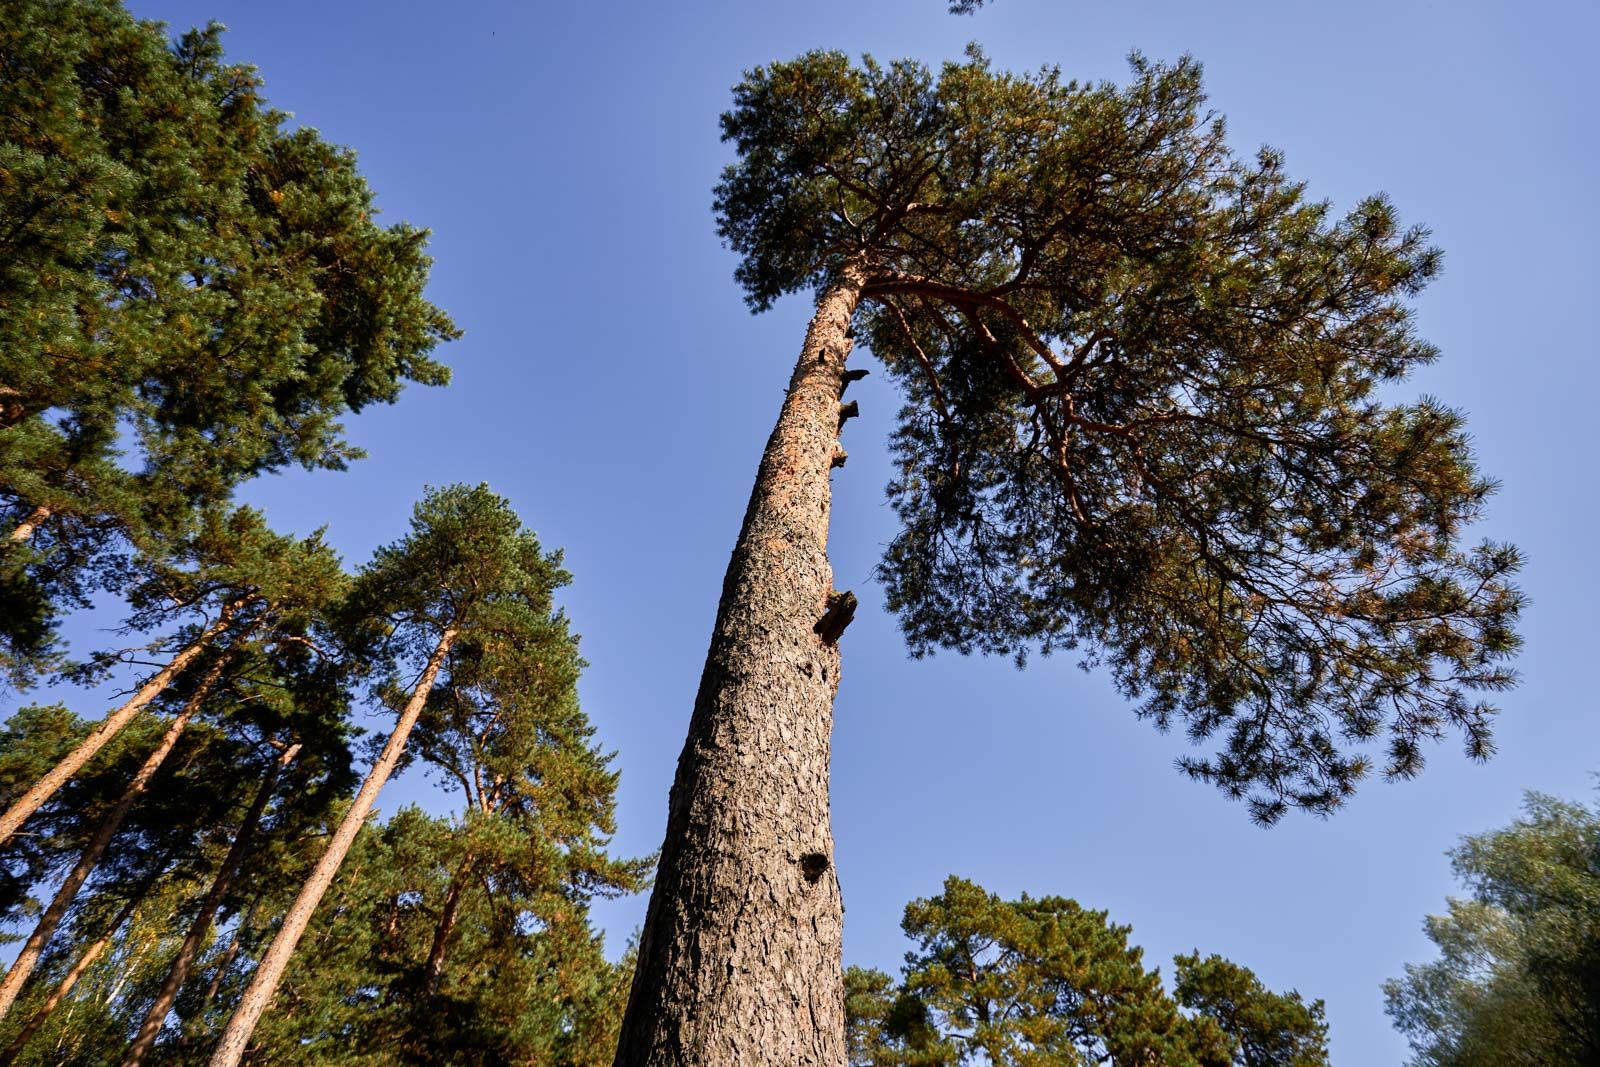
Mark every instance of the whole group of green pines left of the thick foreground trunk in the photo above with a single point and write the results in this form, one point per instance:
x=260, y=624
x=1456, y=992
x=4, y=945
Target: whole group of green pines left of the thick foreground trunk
x=198, y=294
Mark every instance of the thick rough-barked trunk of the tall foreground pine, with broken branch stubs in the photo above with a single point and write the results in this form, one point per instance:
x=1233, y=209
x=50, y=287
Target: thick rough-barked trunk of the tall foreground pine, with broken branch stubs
x=740, y=961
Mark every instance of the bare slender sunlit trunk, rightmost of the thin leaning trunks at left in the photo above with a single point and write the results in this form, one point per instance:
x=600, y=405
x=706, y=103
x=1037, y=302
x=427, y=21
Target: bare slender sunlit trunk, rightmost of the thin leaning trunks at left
x=266, y=980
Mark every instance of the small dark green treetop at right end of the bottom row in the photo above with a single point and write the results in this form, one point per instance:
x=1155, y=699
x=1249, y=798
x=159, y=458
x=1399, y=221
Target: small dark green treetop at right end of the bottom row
x=1266, y=1029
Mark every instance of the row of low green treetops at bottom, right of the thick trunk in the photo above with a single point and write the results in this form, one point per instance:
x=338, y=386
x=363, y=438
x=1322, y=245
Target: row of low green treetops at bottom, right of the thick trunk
x=1046, y=981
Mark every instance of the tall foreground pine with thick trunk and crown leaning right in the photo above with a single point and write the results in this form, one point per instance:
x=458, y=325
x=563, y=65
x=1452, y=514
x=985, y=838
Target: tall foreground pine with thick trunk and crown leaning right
x=1142, y=418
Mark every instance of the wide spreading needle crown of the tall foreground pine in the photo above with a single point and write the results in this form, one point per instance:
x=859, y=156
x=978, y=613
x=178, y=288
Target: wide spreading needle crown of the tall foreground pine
x=1146, y=406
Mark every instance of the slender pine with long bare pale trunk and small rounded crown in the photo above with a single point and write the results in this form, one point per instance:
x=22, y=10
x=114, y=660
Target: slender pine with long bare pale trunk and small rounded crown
x=468, y=581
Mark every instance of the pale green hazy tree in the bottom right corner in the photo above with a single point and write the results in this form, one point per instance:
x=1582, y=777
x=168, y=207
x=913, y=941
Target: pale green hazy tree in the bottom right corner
x=1518, y=978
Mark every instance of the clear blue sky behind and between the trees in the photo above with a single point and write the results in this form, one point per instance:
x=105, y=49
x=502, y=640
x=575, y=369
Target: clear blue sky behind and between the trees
x=614, y=386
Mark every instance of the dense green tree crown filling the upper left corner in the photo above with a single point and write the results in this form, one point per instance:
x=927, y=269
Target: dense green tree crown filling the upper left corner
x=182, y=274
